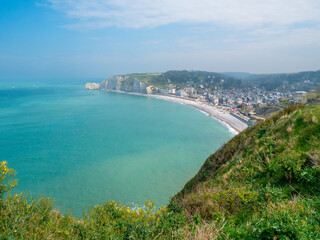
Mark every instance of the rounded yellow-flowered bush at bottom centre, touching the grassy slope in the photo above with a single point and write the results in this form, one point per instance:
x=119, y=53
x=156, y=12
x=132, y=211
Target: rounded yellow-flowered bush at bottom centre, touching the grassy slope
x=117, y=220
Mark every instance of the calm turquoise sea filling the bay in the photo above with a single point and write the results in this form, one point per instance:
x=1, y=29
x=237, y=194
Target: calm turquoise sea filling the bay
x=86, y=147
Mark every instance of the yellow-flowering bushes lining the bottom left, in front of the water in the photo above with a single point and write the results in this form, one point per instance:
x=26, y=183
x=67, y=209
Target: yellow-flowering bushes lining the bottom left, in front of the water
x=24, y=217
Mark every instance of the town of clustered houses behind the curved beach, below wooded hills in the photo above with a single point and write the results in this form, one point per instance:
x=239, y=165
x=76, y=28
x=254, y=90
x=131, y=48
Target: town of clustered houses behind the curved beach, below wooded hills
x=241, y=103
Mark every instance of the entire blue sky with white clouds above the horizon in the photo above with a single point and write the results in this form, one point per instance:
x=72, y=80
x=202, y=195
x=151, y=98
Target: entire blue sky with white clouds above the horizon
x=99, y=38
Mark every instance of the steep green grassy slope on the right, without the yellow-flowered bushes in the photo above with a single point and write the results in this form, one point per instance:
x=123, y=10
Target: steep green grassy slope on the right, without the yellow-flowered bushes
x=264, y=183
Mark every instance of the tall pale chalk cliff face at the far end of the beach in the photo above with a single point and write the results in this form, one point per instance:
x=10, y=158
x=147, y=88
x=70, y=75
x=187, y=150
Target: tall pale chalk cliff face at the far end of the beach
x=123, y=83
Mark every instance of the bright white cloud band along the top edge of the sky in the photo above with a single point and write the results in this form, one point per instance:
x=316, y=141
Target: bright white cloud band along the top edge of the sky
x=153, y=13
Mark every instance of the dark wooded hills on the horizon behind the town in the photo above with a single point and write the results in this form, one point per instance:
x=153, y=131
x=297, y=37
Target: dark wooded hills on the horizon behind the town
x=302, y=81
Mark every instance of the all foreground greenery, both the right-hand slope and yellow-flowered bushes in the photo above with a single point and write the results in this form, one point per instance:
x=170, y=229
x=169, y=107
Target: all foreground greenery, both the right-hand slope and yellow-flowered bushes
x=262, y=184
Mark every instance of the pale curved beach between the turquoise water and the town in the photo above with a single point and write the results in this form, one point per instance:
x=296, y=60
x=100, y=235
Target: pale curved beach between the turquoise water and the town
x=234, y=125
